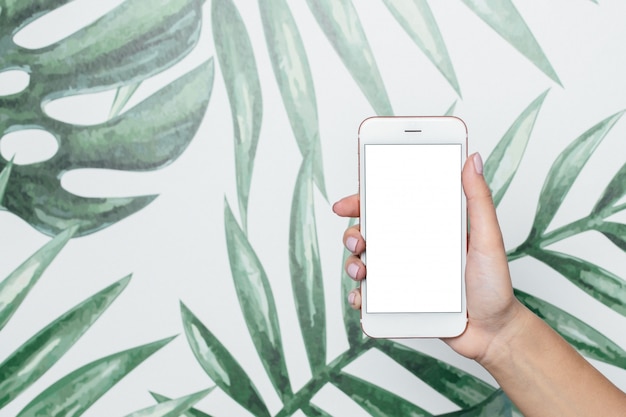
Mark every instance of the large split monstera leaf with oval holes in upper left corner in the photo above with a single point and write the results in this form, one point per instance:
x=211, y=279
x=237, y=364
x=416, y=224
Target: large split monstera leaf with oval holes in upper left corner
x=131, y=43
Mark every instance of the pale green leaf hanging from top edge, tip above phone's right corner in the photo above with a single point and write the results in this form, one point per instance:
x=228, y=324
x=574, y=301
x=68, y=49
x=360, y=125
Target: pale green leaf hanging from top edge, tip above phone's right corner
x=418, y=21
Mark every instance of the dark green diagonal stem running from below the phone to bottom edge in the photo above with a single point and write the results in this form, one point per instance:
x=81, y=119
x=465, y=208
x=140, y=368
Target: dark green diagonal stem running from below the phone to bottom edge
x=326, y=374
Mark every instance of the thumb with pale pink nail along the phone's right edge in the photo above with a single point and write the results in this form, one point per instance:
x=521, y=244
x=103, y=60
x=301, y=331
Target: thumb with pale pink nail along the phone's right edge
x=485, y=235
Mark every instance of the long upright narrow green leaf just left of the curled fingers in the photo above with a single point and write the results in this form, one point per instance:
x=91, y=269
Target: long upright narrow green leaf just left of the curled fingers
x=306, y=269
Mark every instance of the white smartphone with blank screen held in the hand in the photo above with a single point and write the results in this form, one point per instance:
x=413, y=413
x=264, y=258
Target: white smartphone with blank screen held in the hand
x=414, y=222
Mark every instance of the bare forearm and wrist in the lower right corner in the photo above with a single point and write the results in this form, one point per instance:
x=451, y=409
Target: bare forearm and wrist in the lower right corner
x=544, y=376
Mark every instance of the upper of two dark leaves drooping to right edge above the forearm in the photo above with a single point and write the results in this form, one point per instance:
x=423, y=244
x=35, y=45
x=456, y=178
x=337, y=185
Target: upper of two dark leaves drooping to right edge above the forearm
x=599, y=283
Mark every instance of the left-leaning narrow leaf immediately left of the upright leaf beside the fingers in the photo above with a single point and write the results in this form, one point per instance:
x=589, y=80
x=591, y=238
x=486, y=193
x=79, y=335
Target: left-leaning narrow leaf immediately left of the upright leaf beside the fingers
x=257, y=304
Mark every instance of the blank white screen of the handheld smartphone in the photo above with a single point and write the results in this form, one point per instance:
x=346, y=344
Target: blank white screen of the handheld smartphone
x=413, y=212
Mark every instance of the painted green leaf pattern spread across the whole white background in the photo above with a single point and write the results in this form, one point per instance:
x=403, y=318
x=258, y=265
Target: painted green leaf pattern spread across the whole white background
x=135, y=41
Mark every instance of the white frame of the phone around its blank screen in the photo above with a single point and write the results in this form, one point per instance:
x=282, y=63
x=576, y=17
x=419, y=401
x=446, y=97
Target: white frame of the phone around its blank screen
x=412, y=130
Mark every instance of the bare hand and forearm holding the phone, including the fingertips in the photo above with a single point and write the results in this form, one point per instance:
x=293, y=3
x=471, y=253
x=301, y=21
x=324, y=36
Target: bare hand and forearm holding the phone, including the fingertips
x=540, y=372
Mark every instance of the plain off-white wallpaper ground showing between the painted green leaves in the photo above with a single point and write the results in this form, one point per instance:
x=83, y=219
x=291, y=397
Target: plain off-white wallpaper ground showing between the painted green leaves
x=176, y=247
